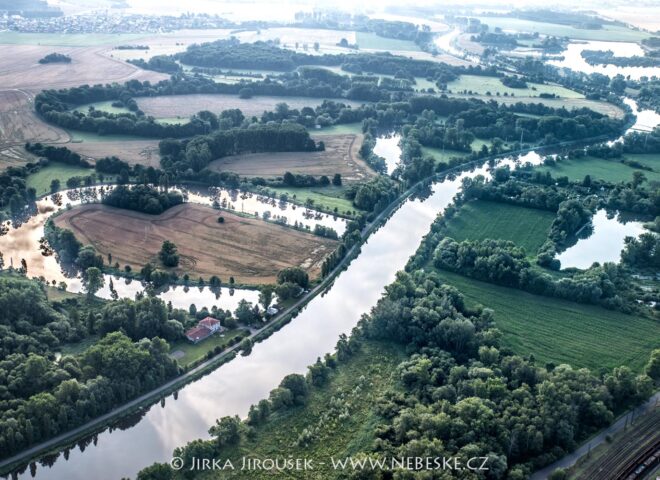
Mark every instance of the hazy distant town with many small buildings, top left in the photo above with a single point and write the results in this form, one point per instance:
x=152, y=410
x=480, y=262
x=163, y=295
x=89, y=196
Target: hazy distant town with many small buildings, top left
x=108, y=22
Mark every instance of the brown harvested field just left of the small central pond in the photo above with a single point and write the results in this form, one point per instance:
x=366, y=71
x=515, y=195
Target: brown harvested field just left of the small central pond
x=340, y=156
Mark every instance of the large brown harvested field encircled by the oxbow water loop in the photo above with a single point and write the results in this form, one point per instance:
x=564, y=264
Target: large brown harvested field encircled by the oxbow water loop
x=251, y=250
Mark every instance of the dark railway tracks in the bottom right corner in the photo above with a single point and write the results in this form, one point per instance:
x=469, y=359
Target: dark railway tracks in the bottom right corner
x=638, y=452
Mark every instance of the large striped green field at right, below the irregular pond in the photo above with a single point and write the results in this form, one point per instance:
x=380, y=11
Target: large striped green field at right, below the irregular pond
x=561, y=331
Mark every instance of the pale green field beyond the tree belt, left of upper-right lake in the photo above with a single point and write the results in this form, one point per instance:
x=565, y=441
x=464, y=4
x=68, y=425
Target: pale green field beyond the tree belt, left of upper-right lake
x=480, y=85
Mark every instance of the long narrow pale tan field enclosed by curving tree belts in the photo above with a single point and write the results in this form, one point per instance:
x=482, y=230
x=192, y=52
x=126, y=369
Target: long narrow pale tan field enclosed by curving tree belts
x=186, y=105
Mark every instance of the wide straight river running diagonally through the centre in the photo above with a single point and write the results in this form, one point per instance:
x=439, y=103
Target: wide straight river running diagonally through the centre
x=232, y=388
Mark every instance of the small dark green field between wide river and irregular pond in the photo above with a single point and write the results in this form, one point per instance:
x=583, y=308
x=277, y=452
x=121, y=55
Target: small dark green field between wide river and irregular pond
x=478, y=220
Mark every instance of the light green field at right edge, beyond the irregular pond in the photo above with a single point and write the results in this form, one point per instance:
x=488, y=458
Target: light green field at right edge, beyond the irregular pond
x=608, y=170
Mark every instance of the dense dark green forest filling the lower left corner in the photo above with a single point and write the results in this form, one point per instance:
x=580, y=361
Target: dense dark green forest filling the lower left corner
x=41, y=397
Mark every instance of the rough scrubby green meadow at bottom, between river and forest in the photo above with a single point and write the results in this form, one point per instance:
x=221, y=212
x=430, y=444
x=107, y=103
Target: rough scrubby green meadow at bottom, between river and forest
x=352, y=388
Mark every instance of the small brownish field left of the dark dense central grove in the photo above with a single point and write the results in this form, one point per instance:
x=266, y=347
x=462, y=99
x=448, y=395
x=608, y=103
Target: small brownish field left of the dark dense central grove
x=142, y=152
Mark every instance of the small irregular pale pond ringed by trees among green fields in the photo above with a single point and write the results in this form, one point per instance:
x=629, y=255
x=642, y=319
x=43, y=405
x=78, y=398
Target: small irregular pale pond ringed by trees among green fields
x=604, y=244
